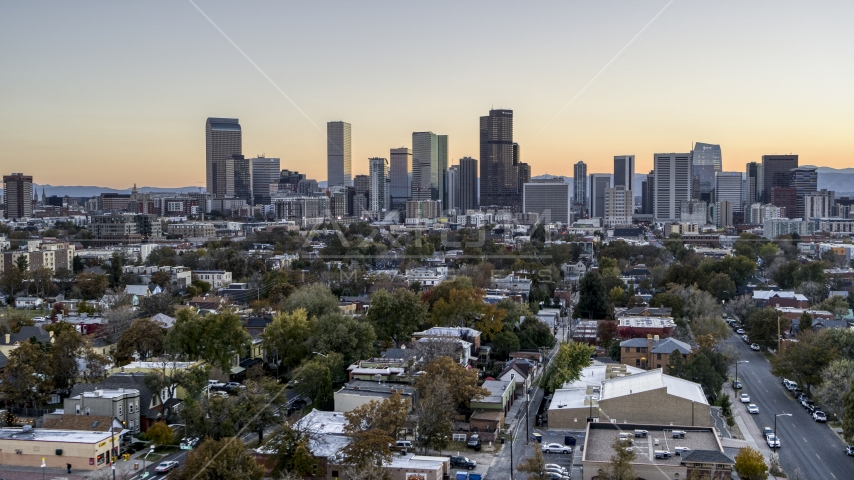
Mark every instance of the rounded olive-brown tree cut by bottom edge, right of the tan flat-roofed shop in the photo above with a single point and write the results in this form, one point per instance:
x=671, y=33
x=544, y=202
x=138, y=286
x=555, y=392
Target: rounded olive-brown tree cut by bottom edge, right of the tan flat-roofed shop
x=225, y=459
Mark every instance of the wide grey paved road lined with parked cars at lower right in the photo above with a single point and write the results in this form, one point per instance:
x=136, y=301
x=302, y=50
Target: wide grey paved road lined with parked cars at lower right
x=804, y=444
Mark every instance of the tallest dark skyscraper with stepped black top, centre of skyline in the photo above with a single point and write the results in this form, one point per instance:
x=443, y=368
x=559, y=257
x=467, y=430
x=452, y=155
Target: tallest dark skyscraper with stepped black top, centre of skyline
x=498, y=182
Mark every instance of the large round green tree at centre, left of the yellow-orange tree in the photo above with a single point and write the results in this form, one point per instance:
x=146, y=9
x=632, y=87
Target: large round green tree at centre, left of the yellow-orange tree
x=396, y=315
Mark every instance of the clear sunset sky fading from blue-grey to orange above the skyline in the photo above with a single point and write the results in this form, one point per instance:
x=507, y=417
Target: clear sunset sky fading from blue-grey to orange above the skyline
x=116, y=93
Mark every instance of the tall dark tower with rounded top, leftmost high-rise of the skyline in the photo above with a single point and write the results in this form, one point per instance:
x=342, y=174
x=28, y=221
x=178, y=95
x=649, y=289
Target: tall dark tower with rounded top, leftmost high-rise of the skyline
x=223, y=139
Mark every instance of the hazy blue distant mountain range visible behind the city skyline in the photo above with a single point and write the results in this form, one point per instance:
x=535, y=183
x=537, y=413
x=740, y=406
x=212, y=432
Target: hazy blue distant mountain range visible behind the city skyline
x=840, y=180
